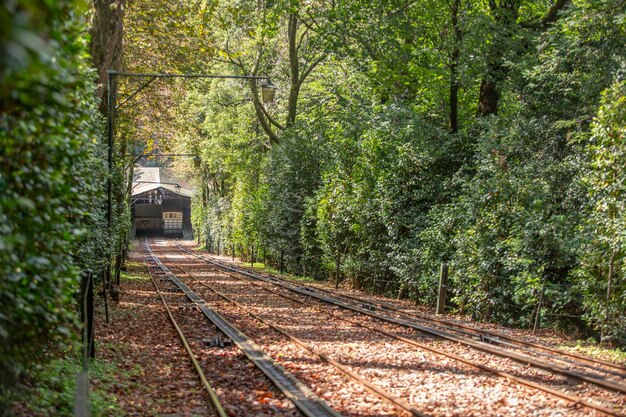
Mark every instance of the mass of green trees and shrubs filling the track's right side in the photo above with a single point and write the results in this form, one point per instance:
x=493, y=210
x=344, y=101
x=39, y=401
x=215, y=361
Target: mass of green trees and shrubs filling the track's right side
x=485, y=135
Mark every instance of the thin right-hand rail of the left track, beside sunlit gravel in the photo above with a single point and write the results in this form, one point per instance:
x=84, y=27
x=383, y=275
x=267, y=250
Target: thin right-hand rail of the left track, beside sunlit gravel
x=354, y=375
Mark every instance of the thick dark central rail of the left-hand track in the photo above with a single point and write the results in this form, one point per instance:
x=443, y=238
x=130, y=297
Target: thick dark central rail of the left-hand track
x=299, y=394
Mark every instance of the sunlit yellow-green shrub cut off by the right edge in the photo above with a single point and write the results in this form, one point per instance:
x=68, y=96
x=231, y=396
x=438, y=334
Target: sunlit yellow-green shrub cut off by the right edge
x=602, y=268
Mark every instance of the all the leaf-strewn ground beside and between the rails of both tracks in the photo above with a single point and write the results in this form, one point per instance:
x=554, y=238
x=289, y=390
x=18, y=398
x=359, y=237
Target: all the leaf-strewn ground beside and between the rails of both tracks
x=141, y=337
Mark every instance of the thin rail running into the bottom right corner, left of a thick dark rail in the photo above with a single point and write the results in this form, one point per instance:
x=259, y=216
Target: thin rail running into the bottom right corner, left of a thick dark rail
x=573, y=399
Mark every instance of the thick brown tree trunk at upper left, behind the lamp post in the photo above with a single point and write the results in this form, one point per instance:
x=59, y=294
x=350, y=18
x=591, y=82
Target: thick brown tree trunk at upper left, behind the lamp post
x=106, y=42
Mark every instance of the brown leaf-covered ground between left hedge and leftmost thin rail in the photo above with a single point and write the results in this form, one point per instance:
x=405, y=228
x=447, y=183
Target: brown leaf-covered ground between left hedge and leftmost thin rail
x=141, y=337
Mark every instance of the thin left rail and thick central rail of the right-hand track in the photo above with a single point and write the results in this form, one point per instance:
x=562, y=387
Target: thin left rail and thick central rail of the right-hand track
x=311, y=293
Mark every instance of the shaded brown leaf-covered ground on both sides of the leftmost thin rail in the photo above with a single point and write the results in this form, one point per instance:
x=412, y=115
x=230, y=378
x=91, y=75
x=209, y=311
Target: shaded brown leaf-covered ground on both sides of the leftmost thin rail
x=140, y=336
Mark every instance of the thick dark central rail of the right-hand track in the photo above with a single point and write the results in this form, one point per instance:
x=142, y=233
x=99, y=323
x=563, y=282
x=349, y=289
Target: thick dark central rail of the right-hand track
x=482, y=346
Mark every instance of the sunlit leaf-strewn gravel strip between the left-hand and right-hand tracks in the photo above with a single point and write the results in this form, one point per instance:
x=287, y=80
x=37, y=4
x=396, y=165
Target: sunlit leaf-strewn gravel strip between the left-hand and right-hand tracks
x=434, y=385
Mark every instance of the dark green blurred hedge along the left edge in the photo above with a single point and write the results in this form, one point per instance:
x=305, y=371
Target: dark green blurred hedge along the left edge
x=52, y=173
